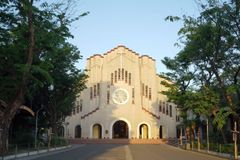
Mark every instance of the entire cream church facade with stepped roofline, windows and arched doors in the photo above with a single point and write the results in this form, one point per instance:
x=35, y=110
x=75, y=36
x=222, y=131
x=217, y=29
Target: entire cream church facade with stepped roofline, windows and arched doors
x=123, y=99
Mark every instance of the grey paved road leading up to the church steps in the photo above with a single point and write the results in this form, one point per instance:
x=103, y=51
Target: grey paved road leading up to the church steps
x=124, y=152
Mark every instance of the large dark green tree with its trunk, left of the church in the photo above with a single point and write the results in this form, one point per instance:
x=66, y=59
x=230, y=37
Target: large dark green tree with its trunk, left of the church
x=35, y=55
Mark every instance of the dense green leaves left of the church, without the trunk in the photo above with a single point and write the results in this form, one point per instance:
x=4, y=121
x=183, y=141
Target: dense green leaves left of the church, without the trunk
x=53, y=79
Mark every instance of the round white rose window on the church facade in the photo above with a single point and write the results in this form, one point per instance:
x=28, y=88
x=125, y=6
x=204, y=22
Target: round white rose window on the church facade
x=120, y=96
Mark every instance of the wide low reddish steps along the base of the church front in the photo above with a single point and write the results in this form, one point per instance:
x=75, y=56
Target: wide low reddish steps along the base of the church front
x=117, y=141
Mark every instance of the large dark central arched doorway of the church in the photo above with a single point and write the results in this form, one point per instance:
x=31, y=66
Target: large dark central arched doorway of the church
x=120, y=129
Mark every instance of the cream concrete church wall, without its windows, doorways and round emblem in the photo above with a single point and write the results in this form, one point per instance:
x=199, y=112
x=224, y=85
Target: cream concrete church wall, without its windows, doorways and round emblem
x=142, y=69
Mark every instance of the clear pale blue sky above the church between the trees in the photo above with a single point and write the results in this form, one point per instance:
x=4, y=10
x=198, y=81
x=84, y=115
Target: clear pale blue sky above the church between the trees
x=136, y=24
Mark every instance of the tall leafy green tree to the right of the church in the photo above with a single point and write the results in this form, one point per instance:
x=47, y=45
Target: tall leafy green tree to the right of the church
x=211, y=52
